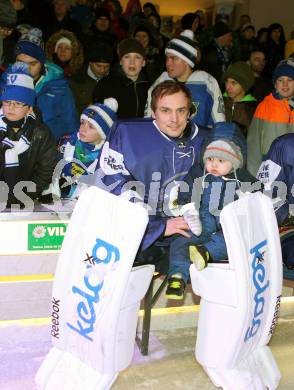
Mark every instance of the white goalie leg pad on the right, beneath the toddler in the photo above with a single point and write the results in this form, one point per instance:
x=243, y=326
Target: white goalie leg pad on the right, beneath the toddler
x=238, y=312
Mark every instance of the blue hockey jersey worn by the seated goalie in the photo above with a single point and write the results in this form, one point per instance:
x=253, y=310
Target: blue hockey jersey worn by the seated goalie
x=148, y=166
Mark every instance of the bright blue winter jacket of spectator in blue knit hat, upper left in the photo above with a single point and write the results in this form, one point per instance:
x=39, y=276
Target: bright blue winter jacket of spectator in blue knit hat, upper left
x=56, y=102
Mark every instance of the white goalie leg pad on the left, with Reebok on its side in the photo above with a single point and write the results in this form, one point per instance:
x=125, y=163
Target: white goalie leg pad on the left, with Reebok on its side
x=96, y=294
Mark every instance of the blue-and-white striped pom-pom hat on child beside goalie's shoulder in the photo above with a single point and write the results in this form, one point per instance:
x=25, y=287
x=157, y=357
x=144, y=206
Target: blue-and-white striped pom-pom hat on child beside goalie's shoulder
x=101, y=116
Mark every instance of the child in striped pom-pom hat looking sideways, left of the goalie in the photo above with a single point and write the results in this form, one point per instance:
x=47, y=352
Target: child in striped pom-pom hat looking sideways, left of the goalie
x=81, y=150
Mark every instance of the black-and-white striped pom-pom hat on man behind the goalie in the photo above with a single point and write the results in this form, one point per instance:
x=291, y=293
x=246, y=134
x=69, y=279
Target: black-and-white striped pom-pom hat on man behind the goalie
x=184, y=47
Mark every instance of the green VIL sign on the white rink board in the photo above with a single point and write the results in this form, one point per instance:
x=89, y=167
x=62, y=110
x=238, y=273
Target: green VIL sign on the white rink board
x=48, y=236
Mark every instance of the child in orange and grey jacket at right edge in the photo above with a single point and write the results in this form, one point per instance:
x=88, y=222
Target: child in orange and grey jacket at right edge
x=274, y=116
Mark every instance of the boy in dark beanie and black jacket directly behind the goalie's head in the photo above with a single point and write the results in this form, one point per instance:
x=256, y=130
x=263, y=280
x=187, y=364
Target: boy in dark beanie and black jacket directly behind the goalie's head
x=126, y=83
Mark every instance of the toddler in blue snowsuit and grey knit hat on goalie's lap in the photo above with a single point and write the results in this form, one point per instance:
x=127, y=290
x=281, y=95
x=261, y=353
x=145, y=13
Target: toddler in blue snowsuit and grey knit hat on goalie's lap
x=224, y=159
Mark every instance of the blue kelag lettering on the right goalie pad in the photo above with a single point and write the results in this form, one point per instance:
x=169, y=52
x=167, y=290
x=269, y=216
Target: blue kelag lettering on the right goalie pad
x=258, y=278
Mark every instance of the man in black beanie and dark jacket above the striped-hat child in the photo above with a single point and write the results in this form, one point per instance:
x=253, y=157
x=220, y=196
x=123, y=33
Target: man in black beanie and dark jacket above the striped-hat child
x=99, y=58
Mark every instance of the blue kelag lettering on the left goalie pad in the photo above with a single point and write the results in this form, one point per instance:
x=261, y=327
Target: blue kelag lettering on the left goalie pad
x=103, y=255
